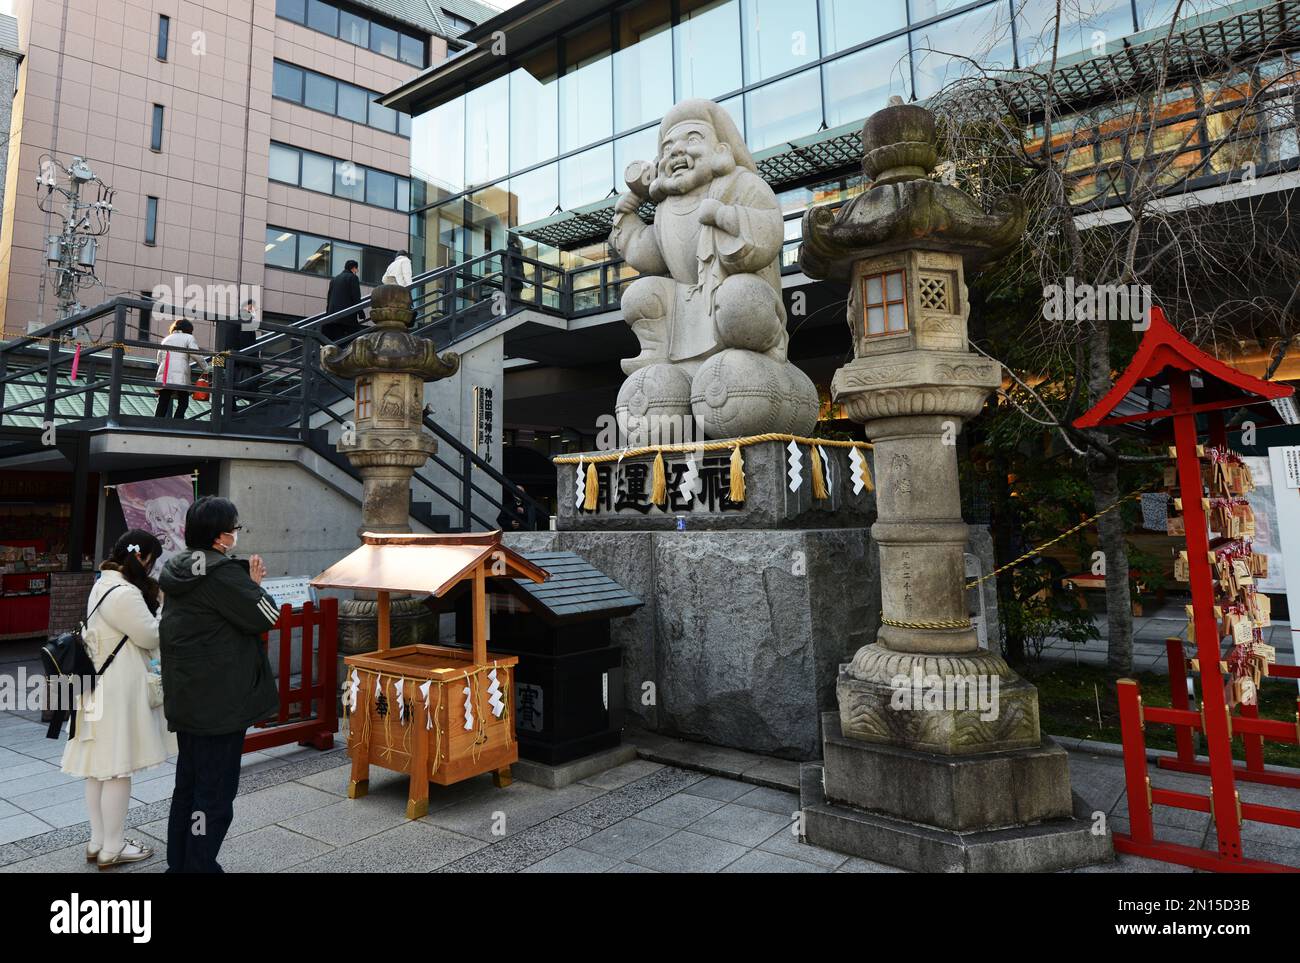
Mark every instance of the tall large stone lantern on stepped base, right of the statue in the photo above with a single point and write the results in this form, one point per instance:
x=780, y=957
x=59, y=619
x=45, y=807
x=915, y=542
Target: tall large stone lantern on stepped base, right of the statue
x=931, y=728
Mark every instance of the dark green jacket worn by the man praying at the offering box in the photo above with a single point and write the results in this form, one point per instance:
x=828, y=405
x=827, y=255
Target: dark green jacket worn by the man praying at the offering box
x=216, y=676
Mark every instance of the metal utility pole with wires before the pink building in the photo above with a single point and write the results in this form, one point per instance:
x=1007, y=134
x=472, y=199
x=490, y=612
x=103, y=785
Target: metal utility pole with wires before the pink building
x=71, y=254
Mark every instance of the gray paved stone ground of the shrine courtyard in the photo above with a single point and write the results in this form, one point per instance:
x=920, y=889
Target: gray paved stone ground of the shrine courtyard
x=644, y=817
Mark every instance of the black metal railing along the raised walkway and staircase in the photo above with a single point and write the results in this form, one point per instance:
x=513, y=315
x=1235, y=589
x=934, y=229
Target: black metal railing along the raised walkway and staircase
x=276, y=388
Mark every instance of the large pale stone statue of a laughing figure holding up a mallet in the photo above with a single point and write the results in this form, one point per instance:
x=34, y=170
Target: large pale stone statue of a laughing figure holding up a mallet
x=708, y=306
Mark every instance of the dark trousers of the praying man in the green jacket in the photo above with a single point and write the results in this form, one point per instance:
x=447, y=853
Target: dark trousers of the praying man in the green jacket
x=203, y=805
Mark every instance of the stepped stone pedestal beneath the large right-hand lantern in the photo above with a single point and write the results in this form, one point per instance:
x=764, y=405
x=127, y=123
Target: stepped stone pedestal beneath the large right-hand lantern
x=928, y=813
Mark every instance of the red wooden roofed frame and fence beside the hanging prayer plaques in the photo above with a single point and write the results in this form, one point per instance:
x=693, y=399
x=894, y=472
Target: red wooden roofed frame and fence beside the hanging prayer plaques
x=1168, y=361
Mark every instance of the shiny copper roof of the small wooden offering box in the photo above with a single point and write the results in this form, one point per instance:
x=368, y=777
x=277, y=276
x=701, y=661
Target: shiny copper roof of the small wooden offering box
x=424, y=565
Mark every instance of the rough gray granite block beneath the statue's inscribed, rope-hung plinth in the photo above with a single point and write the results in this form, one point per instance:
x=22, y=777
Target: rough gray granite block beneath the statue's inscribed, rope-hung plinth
x=743, y=632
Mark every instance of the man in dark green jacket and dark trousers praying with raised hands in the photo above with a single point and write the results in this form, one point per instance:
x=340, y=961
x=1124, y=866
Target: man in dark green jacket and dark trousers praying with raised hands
x=216, y=676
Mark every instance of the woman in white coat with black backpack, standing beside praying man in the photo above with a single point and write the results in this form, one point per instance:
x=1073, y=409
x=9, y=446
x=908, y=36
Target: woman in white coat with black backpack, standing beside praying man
x=118, y=732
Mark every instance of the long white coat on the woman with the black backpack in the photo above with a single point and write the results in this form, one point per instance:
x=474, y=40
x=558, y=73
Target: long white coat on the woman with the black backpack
x=118, y=734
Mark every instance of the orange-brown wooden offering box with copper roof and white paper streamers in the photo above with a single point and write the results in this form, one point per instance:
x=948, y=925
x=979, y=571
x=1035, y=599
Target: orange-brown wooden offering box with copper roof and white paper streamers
x=440, y=714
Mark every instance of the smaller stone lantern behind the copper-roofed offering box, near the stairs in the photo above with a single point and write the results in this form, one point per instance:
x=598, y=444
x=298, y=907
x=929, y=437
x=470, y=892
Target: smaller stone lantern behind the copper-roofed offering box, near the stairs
x=387, y=444
